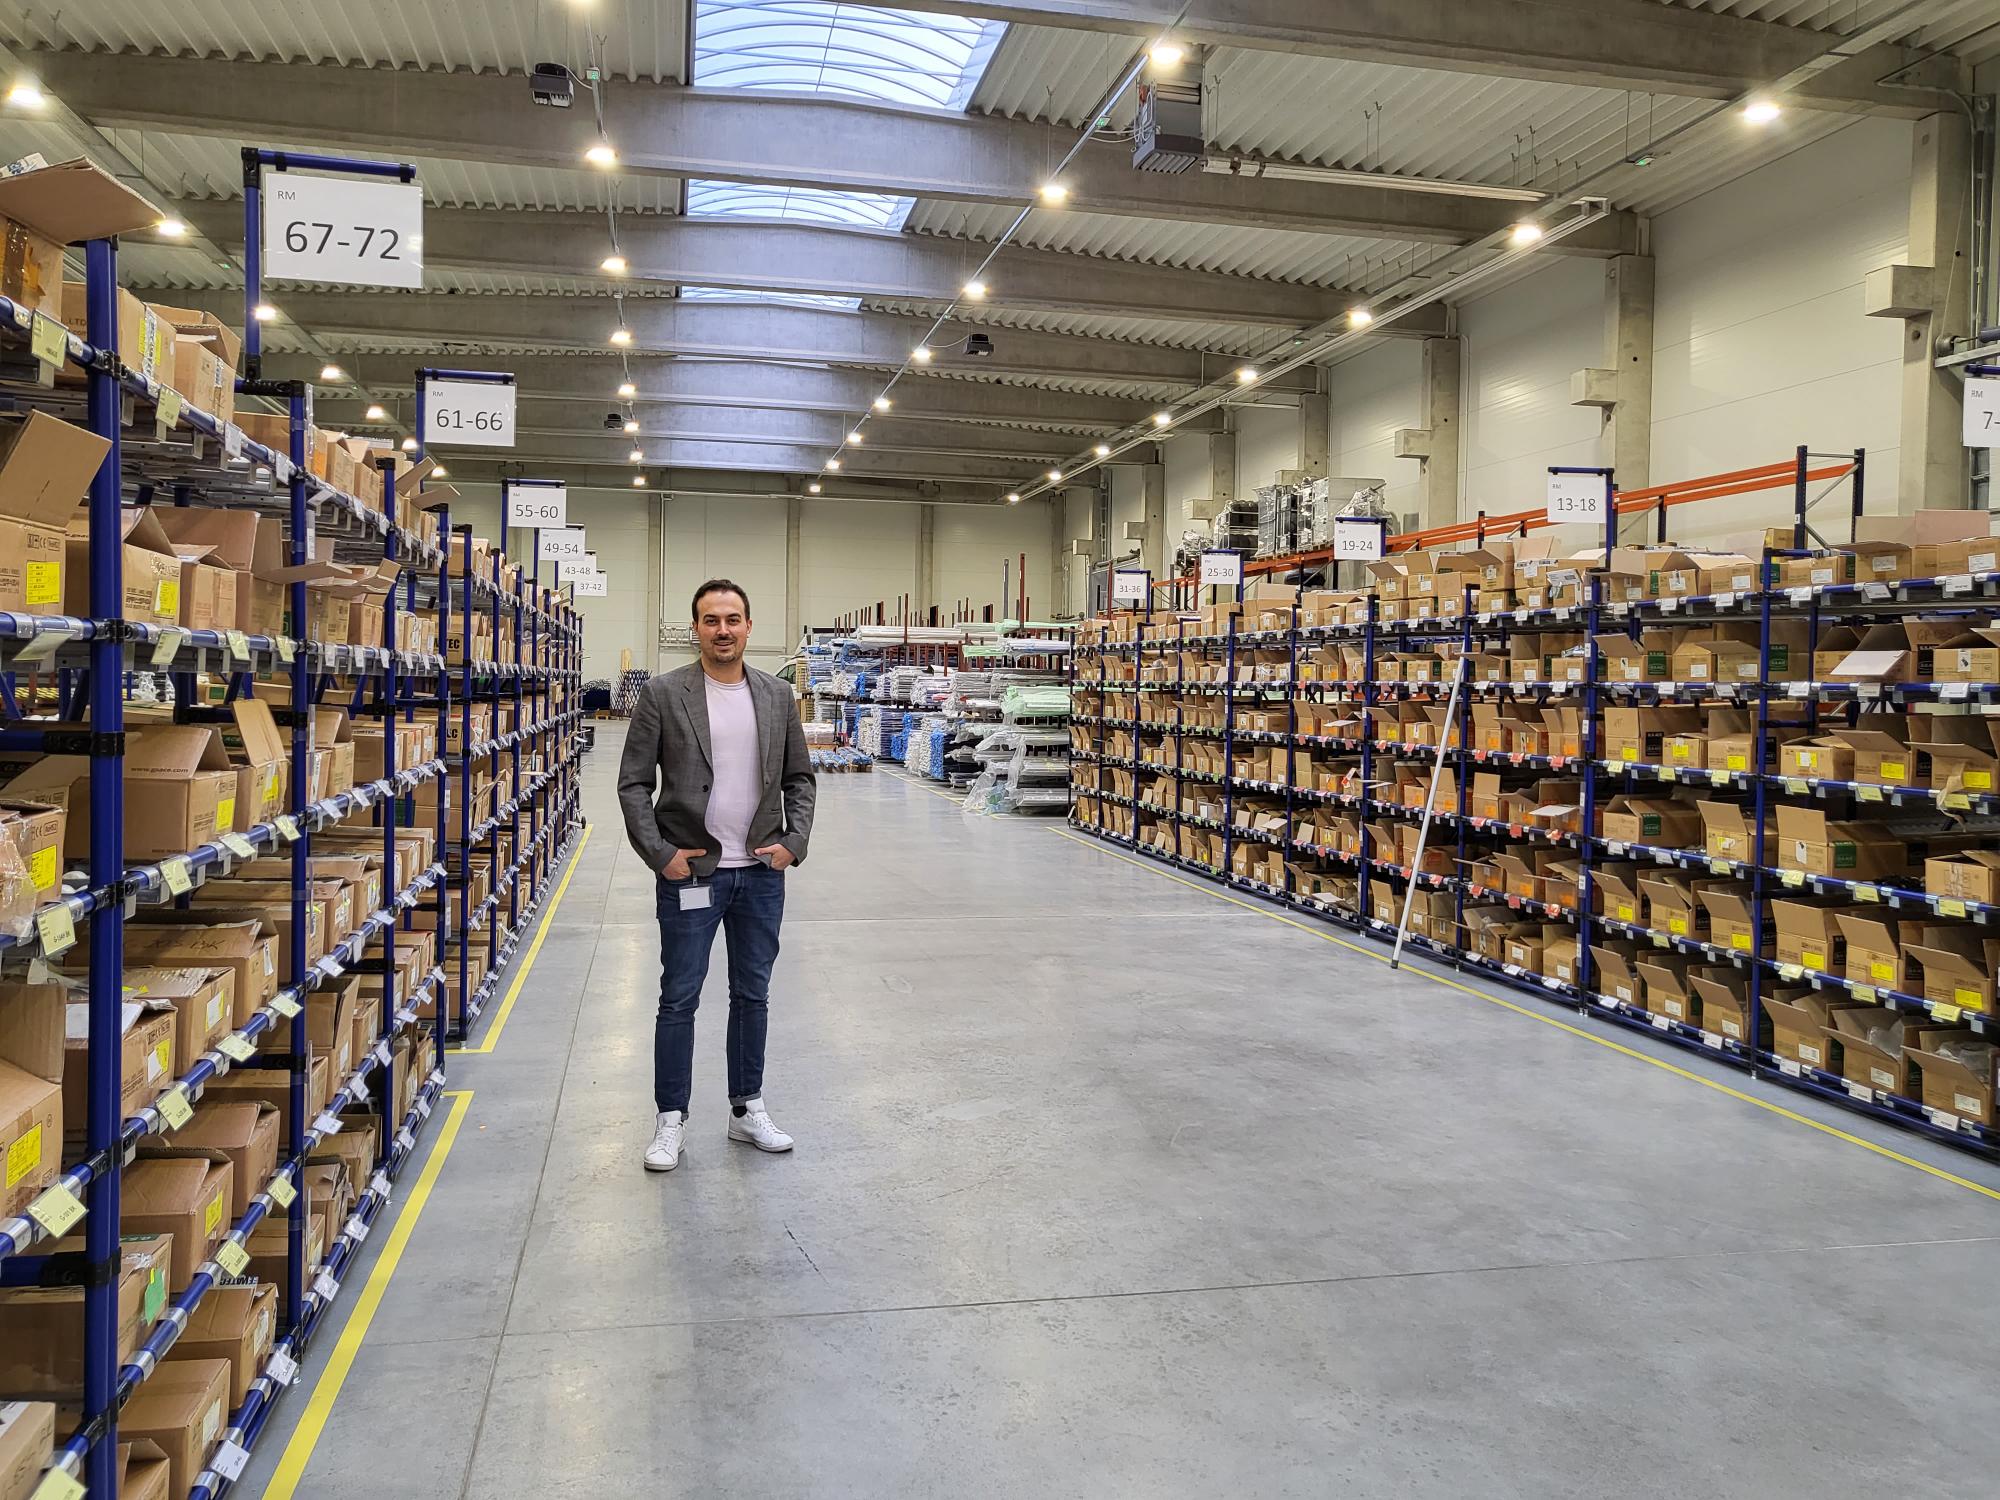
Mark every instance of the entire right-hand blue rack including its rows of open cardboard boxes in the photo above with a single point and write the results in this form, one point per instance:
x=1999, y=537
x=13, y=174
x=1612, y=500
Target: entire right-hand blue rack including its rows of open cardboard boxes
x=1301, y=759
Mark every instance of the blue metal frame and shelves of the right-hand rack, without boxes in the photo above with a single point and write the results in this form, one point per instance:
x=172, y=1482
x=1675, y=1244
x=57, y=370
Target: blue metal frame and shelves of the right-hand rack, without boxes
x=1595, y=615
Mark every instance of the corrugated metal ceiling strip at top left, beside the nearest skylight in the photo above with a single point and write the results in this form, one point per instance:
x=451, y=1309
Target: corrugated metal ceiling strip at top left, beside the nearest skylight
x=643, y=39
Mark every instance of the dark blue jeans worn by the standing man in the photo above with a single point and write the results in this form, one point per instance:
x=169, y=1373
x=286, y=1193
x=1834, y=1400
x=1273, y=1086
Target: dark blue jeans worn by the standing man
x=747, y=905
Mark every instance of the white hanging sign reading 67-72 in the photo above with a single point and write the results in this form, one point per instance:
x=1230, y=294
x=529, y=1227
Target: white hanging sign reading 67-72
x=343, y=231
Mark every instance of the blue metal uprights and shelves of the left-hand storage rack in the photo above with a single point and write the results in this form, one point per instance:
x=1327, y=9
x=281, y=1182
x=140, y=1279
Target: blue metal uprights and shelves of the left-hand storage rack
x=165, y=449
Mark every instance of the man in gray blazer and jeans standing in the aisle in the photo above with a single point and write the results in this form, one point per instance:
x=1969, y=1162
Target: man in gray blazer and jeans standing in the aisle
x=735, y=813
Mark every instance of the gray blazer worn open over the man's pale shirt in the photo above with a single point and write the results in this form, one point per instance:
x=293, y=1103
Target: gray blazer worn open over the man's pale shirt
x=669, y=747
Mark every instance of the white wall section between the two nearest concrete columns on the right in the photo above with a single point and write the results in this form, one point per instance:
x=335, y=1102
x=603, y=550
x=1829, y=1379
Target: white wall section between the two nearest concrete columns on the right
x=1759, y=335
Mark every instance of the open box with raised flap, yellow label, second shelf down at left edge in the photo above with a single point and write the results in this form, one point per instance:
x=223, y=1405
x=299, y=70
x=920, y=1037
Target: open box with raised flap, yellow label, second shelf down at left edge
x=45, y=475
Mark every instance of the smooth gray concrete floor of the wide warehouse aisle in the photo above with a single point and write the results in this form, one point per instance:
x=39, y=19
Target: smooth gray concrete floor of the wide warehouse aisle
x=1109, y=1187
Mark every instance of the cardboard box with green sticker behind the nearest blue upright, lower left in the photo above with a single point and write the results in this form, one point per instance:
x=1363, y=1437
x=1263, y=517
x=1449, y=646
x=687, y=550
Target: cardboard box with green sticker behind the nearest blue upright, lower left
x=43, y=1327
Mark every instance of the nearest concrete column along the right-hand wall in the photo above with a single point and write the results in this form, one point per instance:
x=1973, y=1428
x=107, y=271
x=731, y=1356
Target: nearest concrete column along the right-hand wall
x=1935, y=465
